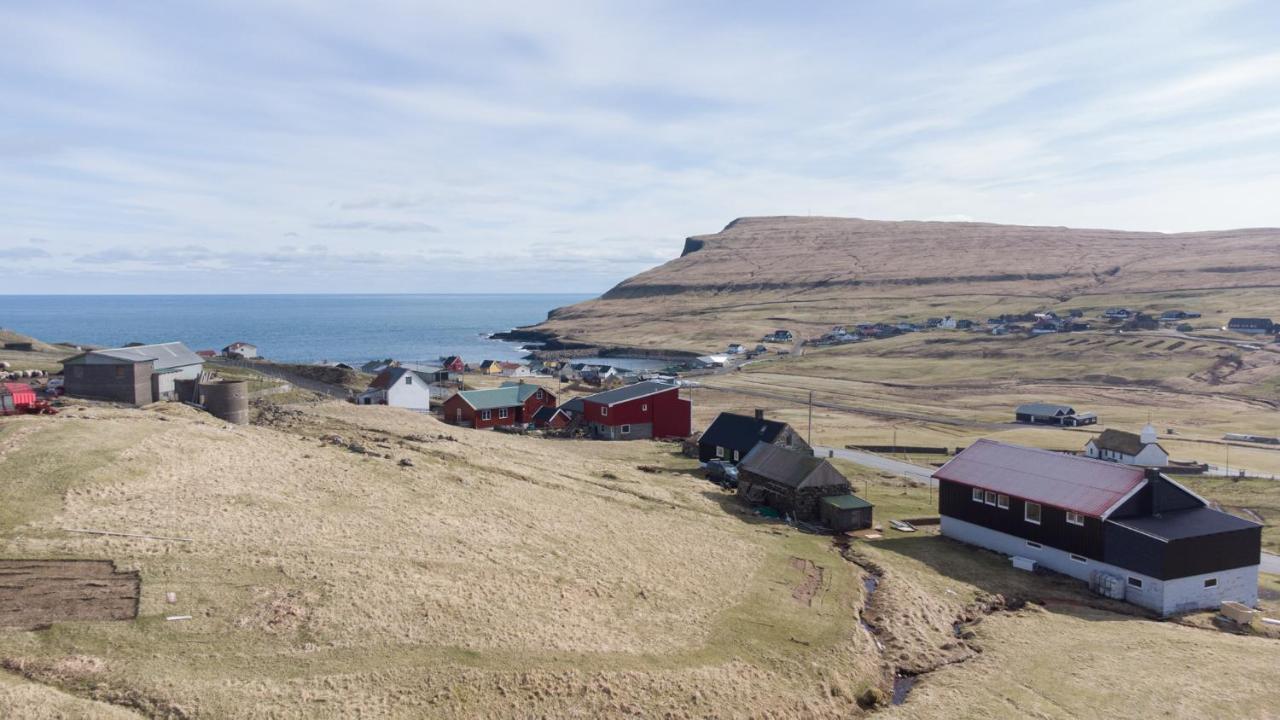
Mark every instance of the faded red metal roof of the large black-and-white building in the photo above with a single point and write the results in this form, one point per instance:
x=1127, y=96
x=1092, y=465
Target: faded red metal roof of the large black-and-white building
x=1090, y=487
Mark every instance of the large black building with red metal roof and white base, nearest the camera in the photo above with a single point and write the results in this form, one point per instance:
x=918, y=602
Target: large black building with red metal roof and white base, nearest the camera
x=1133, y=530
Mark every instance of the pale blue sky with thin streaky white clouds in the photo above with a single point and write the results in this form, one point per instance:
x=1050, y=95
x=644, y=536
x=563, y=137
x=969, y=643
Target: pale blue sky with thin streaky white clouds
x=418, y=147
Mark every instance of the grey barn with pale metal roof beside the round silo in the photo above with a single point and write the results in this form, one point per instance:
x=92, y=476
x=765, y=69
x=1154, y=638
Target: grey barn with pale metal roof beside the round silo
x=139, y=375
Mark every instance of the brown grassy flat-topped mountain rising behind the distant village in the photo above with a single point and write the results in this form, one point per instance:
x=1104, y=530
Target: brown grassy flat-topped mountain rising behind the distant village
x=817, y=272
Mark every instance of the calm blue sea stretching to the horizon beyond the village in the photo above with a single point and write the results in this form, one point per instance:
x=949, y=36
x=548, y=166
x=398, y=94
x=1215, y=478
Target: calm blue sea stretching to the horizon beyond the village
x=295, y=329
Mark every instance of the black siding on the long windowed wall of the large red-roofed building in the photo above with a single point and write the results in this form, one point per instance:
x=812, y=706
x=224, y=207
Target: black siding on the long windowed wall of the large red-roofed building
x=956, y=500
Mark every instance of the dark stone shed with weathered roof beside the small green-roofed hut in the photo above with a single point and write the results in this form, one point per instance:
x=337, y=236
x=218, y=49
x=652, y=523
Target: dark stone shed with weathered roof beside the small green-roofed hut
x=793, y=482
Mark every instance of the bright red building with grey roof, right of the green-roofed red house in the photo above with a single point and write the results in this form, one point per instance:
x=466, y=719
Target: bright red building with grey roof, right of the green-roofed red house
x=638, y=412
